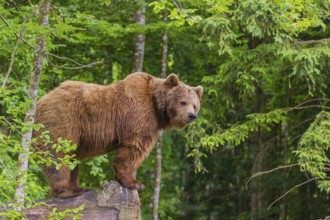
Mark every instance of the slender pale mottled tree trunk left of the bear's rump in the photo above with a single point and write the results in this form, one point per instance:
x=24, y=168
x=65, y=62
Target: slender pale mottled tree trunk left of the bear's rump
x=32, y=95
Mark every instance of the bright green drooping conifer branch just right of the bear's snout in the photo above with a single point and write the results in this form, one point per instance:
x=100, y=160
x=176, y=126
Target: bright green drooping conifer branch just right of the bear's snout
x=235, y=135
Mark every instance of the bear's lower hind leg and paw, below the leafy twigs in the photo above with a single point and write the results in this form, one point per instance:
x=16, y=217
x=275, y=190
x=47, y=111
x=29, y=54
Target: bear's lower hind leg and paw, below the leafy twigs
x=59, y=181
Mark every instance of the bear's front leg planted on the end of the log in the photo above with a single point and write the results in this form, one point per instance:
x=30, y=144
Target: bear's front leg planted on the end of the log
x=126, y=162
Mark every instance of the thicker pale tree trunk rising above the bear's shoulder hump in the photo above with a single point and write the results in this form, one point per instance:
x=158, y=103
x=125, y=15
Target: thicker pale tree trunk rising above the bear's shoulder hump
x=139, y=40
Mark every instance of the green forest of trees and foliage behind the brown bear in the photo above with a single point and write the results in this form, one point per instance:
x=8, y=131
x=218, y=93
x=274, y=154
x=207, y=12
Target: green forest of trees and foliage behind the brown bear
x=260, y=146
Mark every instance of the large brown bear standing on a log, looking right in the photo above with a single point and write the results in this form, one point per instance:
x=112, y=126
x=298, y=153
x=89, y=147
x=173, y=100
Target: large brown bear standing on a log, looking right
x=125, y=116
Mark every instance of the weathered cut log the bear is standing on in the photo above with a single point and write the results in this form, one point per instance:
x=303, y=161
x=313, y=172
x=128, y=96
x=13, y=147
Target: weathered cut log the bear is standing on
x=113, y=202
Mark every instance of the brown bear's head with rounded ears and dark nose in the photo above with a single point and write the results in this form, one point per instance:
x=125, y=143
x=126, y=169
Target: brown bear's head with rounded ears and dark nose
x=177, y=103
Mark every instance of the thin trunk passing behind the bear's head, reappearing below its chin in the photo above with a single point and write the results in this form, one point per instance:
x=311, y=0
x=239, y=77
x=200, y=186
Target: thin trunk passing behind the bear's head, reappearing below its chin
x=160, y=140
